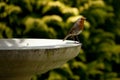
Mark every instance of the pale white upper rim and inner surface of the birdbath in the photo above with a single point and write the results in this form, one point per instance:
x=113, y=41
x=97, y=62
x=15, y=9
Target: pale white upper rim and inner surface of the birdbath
x=34, y=43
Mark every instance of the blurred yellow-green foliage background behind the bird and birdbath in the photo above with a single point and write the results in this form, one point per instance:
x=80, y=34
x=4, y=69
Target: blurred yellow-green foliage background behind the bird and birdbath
x=99, y=58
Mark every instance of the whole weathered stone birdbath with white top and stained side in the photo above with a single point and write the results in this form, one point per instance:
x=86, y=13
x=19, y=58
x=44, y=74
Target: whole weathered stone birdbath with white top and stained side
x=20, y=59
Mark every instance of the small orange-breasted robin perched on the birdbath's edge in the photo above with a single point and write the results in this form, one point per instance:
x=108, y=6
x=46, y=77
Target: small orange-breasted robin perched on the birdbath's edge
x=76, y=29
